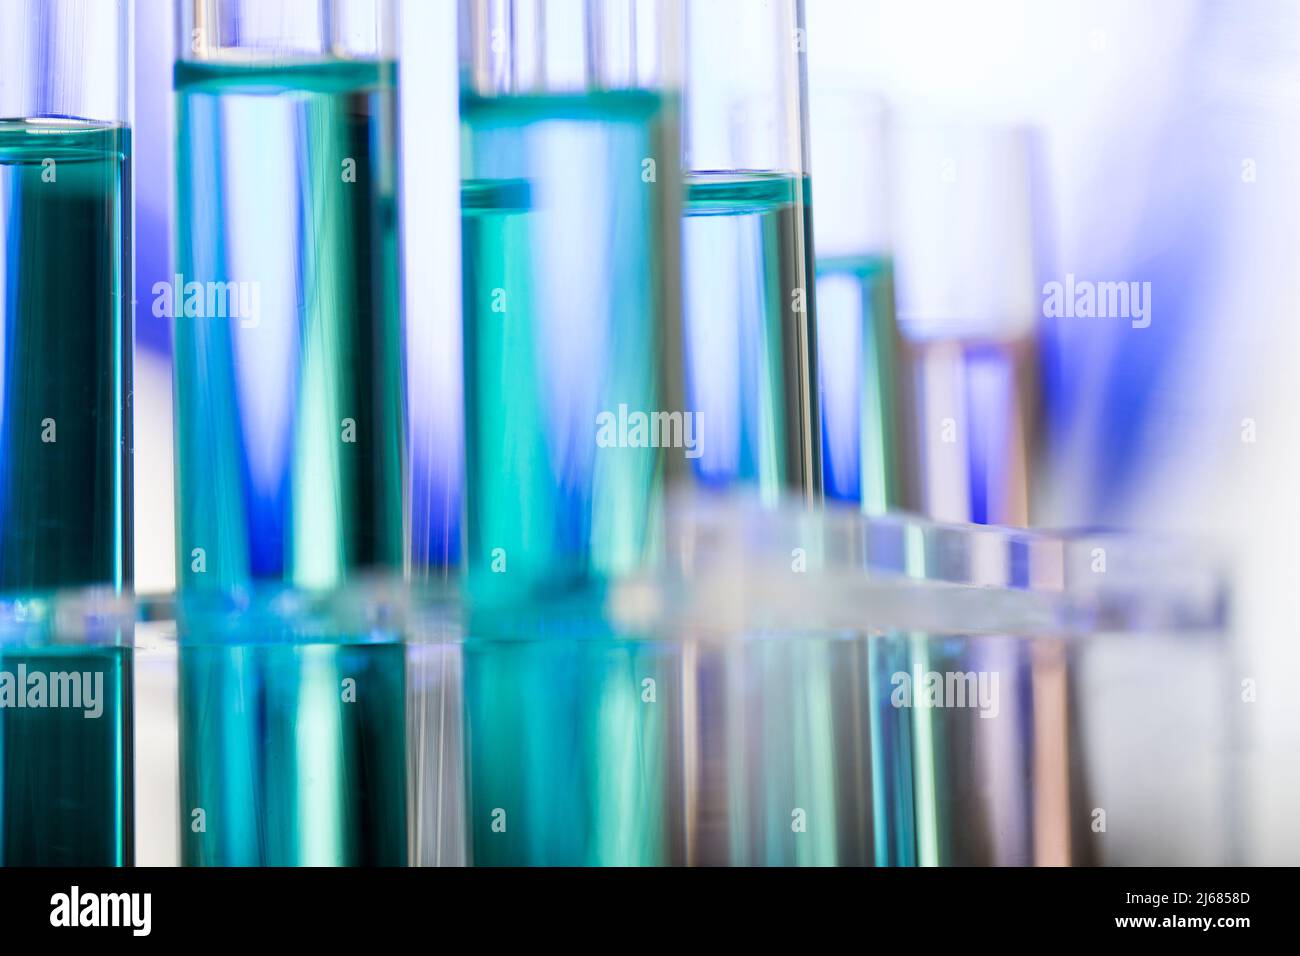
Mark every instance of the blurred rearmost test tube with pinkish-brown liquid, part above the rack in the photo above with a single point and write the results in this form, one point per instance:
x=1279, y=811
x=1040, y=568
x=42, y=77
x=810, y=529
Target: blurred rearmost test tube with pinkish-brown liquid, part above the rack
x=964, y=226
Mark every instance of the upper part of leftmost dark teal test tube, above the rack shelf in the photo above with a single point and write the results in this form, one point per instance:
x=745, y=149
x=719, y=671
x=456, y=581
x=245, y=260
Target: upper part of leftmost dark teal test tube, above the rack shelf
x=66, y=284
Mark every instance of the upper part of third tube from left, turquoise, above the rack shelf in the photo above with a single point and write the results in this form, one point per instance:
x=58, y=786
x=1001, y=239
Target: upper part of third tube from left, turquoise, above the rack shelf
x=569, y=193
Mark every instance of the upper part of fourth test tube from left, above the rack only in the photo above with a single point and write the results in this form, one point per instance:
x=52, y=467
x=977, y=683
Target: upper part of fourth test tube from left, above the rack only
x=751, y=322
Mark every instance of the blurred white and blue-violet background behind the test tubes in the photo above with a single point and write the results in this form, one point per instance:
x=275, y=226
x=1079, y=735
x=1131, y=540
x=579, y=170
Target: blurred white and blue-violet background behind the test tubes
x=1154, y=144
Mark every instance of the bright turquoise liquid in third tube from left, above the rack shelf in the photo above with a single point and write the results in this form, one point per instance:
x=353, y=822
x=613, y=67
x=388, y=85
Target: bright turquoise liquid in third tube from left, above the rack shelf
x=565, y=288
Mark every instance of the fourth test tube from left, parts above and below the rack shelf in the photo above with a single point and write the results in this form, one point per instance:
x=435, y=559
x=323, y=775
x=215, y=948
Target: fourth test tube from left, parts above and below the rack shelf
x=751, y=343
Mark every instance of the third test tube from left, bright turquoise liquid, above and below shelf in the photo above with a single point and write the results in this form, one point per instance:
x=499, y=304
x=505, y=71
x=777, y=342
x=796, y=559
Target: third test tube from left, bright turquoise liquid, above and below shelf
x=570, y=218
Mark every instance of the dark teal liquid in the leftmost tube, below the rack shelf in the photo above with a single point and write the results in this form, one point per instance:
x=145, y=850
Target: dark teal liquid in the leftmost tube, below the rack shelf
x=67, y=778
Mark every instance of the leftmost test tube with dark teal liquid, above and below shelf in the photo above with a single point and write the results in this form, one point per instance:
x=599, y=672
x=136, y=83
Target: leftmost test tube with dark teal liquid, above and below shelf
x=66, y=426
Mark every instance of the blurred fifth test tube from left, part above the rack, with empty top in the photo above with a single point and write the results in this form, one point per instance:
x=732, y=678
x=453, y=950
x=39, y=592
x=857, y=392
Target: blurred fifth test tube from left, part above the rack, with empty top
x=857, y=335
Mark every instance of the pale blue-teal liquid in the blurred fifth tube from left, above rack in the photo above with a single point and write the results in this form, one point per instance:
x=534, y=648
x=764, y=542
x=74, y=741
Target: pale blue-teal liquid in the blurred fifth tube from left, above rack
x=859, y=369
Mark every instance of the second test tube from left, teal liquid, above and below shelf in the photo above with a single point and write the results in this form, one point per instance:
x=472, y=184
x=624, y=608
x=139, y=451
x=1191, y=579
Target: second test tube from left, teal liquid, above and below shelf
x=291, y=434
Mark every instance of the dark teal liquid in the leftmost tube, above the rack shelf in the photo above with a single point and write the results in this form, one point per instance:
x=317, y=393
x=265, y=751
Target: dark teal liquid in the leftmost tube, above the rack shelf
x=66, y=354
